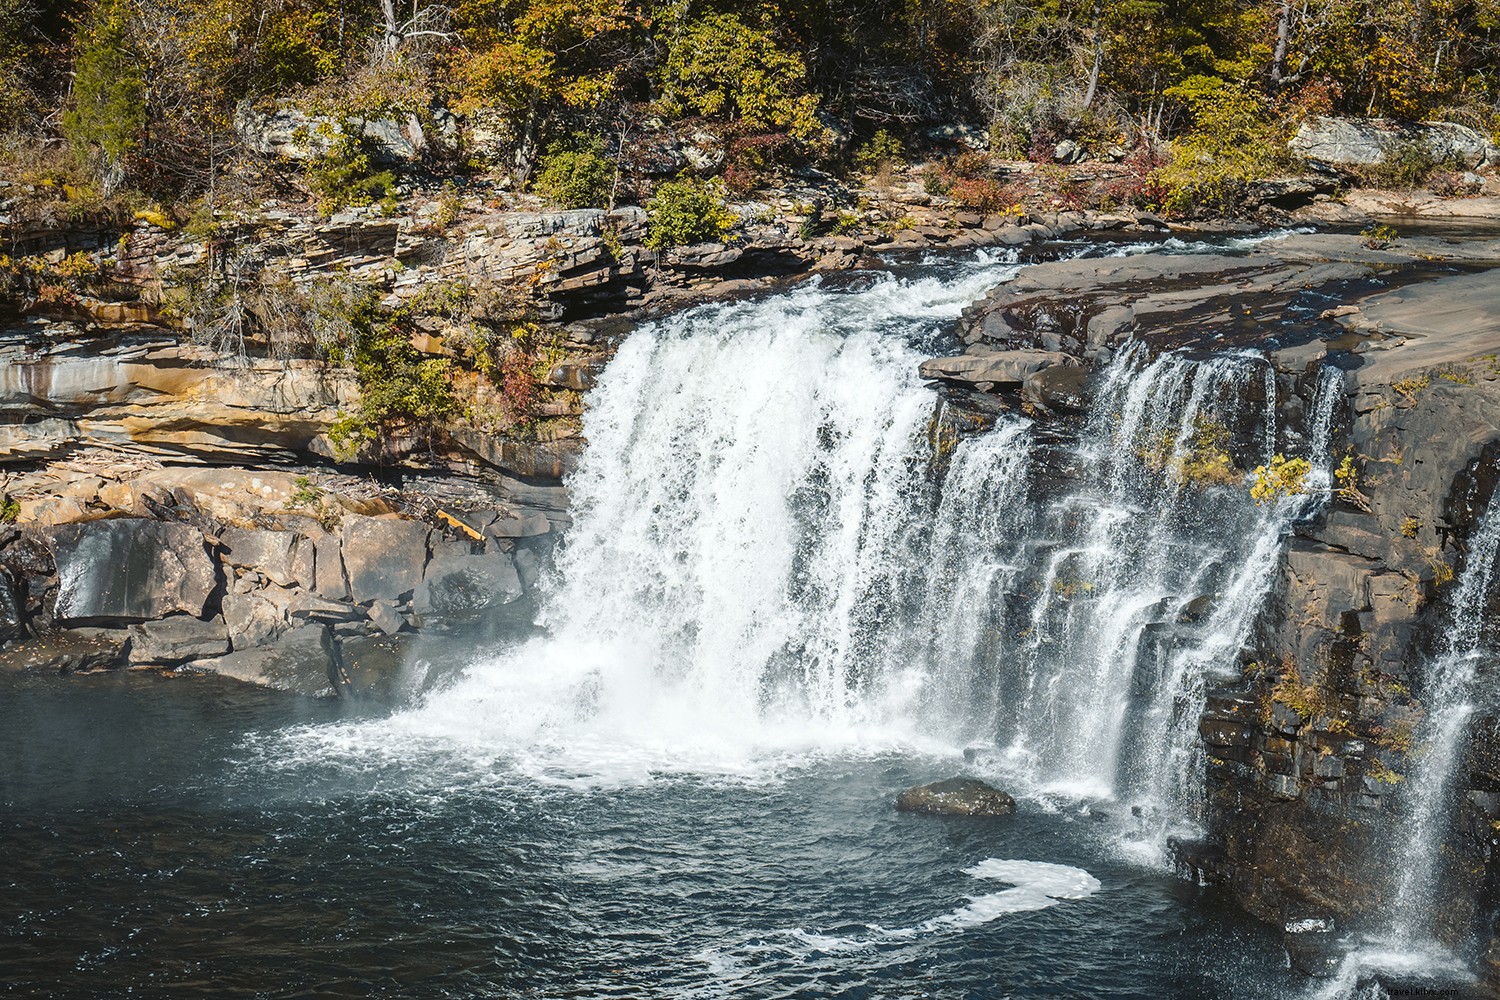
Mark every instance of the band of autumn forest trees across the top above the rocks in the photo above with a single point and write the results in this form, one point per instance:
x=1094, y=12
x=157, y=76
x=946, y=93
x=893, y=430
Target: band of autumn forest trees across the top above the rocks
x=145, y=94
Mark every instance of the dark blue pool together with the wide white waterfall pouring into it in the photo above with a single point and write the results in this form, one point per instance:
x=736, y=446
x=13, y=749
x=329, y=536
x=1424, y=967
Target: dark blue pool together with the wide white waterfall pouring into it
x=770, y=617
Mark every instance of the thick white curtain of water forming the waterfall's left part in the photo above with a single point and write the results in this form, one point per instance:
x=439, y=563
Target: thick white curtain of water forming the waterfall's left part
x=749, y=537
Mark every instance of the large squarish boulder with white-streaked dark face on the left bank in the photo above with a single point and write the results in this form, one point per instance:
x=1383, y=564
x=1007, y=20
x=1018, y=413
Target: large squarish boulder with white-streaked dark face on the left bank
x=130, y=570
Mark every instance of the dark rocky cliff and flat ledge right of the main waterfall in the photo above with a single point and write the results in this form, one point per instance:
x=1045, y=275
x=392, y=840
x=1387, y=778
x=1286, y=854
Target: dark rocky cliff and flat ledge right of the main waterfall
x=1310, y=747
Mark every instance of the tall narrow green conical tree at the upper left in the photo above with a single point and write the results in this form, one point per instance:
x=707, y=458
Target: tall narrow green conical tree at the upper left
x=109, y=107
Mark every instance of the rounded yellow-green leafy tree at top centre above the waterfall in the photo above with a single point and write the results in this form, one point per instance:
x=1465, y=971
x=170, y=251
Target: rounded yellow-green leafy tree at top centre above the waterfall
x=721, y=67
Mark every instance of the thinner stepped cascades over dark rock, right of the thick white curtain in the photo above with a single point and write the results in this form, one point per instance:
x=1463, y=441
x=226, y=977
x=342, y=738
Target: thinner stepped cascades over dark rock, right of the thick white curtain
x=1114, y=603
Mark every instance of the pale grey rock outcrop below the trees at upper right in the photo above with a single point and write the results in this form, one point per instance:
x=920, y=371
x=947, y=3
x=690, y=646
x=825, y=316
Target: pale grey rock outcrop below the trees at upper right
x=1373, y=142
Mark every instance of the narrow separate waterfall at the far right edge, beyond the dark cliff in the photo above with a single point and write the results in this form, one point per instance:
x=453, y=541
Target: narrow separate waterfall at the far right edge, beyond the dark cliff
x=1451, y=701
